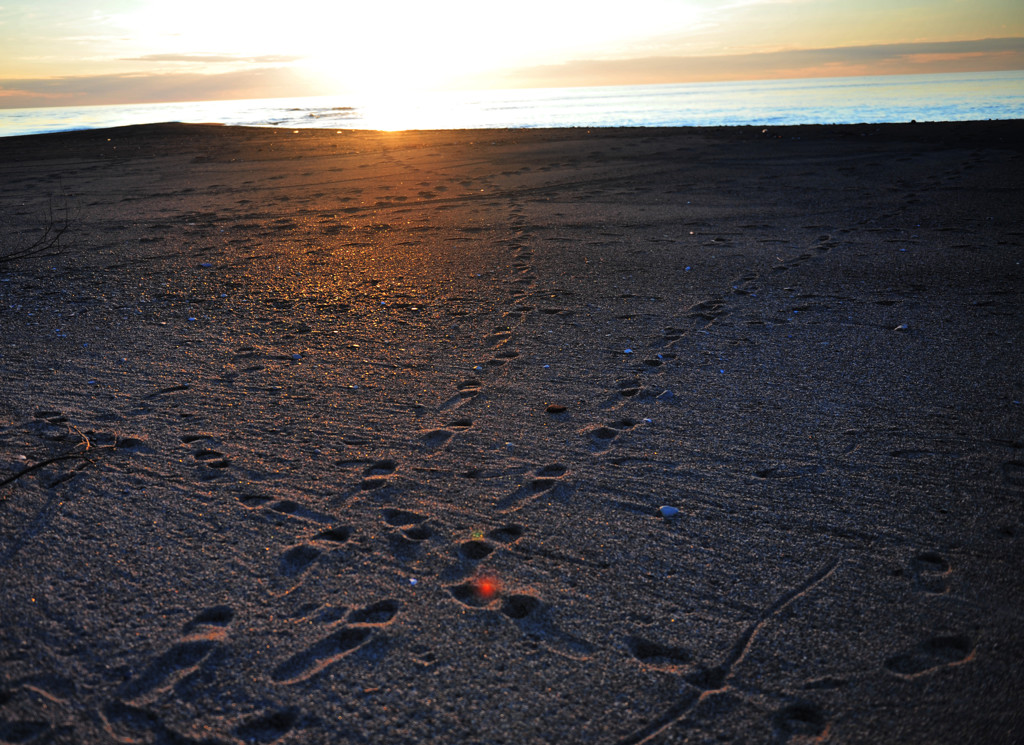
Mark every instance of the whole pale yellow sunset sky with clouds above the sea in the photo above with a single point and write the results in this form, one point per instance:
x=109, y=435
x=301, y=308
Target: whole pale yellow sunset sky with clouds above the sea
x=79, y=53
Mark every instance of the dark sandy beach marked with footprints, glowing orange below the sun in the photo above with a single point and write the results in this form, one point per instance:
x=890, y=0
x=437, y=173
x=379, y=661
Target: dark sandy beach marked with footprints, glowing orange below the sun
x=314, y=372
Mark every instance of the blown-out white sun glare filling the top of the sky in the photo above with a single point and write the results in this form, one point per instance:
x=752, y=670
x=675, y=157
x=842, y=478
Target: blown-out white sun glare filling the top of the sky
x=401, y=49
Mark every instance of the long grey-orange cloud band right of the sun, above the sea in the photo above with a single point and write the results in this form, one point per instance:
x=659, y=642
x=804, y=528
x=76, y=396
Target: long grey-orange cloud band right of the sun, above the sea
x=985, y=55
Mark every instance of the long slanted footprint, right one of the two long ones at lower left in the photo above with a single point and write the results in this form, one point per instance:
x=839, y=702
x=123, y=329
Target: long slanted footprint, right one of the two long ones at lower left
x=359, y=629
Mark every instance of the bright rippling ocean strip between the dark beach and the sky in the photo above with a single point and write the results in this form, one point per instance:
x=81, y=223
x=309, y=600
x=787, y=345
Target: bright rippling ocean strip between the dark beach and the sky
x=948, y=98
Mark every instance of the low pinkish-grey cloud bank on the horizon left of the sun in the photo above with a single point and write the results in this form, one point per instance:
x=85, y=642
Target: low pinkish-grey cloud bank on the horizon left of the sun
x=145, y=89
